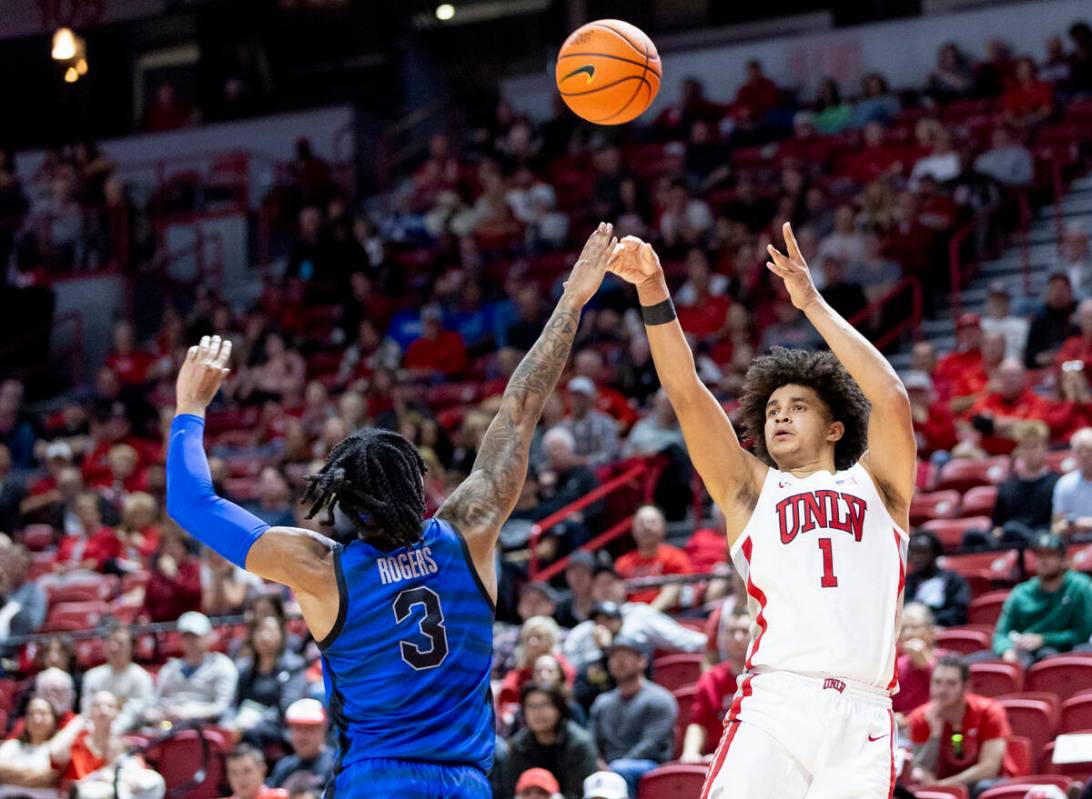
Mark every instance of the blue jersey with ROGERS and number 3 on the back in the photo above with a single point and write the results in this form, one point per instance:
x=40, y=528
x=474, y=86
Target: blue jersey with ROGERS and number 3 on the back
x=408, y=664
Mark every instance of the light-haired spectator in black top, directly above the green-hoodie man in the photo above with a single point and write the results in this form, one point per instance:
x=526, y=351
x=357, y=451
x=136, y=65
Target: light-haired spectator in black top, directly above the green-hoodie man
x=1025, y=502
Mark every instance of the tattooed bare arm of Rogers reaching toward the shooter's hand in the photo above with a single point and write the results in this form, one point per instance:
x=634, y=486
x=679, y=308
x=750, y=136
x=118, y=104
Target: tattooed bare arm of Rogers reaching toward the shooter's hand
x=482, y=504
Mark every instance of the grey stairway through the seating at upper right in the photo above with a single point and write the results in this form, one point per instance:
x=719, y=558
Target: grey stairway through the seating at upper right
x=1043, y=252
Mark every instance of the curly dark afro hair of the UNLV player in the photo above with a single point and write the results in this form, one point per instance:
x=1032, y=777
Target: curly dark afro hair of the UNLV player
x=827, y=377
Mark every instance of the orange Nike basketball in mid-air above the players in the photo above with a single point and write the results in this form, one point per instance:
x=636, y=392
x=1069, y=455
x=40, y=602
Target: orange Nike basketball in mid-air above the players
x=609, y=73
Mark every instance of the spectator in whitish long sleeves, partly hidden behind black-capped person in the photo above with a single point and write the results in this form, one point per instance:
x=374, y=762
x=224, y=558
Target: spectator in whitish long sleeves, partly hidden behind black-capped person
x=639, y=622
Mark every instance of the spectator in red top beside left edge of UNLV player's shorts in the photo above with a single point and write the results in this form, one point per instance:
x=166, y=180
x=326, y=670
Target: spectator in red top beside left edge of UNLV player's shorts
x=715, y=694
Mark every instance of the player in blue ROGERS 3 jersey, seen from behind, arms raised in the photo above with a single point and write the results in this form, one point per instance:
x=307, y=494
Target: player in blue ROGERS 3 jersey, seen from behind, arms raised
x=403, y=609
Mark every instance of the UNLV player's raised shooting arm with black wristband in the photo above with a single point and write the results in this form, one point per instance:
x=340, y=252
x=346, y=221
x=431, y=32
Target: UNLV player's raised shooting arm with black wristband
x=733, y=476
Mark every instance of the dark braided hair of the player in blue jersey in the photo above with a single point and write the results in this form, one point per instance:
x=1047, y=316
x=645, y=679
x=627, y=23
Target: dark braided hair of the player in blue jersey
x=375, y=476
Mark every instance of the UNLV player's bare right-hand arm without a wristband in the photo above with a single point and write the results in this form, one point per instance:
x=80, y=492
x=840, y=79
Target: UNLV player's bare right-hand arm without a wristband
x=893, y=450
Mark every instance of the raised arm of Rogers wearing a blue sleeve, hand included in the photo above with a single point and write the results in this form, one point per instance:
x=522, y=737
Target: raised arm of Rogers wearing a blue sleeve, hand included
x=299, y=558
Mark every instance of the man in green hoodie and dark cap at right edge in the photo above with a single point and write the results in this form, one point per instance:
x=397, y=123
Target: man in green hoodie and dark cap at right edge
x=1050, y=614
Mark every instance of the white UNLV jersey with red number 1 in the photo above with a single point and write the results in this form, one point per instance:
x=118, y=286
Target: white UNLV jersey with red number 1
x=825, y=569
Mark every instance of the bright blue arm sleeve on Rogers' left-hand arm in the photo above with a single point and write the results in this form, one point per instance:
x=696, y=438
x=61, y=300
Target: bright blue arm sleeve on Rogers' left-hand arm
x=192, y=502
